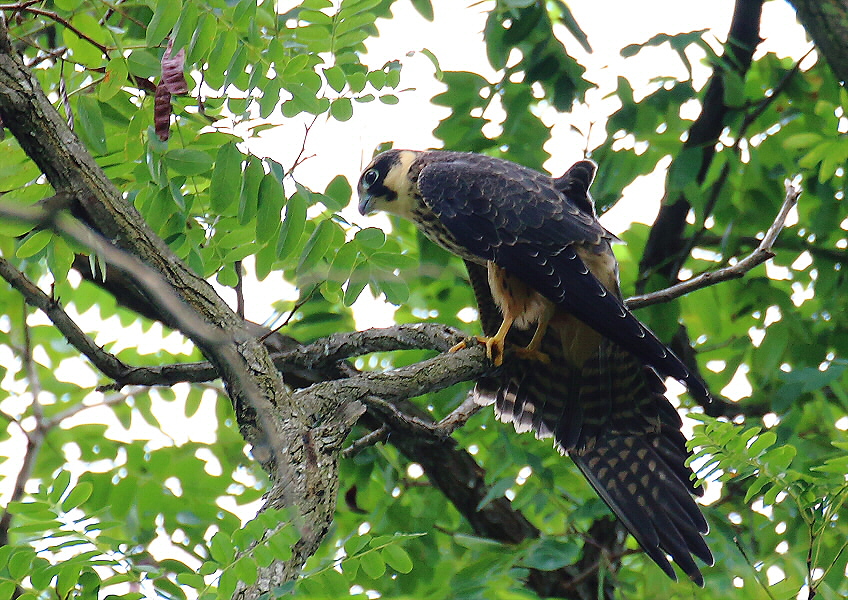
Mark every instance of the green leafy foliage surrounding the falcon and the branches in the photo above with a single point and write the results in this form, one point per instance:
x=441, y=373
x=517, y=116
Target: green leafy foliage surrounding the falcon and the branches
x=117, y=499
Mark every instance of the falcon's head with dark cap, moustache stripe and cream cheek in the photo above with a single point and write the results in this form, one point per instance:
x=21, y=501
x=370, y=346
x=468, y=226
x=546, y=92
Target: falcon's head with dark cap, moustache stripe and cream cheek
x=385, y=183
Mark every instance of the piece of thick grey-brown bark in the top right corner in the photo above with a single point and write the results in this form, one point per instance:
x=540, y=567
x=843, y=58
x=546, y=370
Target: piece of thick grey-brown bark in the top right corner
x=826, y=21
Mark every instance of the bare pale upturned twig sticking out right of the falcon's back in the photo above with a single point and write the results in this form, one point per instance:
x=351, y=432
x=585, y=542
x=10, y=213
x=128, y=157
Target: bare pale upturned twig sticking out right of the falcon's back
x=761, y=254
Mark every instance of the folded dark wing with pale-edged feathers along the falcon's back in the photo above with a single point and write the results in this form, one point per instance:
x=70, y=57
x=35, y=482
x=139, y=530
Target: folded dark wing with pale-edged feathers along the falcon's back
x=502, y=212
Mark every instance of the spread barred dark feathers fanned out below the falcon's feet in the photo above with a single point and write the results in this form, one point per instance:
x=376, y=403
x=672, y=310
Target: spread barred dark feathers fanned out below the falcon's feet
x=611, y=417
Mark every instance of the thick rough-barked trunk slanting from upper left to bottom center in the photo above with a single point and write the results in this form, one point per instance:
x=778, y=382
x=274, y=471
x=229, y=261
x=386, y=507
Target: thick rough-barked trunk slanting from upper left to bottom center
x=305, y=475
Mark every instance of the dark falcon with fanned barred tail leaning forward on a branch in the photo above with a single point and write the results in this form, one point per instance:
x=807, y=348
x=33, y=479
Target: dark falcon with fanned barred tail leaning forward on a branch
x=587, y=372
